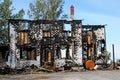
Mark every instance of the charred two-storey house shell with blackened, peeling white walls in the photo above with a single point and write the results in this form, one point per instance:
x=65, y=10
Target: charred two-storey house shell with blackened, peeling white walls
x=45, y=42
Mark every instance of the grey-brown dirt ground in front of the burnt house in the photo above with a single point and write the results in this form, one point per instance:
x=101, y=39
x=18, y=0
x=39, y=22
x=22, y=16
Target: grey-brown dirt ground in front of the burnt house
x=87, y=75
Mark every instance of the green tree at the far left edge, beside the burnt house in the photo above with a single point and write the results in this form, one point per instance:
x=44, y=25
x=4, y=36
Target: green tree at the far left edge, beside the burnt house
x=6, y=9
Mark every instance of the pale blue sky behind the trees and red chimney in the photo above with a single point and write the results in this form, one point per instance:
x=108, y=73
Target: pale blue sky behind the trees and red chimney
x=92, y=12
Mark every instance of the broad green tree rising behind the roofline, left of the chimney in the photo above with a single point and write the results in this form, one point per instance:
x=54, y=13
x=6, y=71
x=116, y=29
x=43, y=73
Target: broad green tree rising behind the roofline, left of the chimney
x=45, y=9
